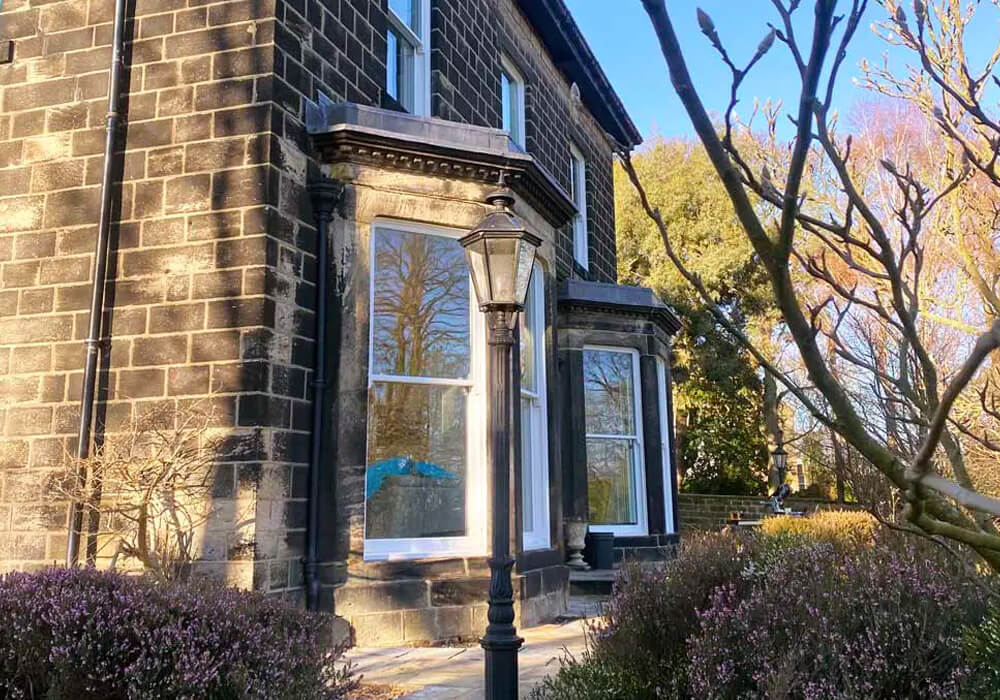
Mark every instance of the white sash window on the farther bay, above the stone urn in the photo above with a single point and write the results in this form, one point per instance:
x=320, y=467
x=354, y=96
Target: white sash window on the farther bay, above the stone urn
x=616, y=488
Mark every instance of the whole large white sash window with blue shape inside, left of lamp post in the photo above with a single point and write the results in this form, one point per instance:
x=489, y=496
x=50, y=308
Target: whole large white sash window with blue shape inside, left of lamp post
x=424, y=480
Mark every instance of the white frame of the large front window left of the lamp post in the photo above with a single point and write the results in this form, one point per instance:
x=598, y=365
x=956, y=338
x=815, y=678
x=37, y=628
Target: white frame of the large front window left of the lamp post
x=474, y=541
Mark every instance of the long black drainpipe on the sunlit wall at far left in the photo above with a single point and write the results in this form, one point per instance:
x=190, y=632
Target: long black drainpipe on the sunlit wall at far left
x=100, y=276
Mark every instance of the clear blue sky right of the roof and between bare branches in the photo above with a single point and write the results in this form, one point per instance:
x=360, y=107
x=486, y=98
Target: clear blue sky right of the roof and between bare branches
x=622, y=38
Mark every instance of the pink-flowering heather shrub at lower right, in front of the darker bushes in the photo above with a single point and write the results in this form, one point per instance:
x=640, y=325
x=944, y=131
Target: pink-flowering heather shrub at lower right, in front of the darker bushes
x=820, y=624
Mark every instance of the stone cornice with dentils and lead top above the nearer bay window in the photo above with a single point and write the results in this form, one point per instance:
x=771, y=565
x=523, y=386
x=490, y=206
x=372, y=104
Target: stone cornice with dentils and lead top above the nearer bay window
x=443, y=149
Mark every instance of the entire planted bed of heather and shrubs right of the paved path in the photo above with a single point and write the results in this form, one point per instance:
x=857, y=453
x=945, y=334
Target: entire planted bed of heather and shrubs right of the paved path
x=830, y=606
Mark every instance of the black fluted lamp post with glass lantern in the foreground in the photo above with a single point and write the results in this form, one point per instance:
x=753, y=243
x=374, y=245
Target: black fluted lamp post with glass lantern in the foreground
x=501, y=252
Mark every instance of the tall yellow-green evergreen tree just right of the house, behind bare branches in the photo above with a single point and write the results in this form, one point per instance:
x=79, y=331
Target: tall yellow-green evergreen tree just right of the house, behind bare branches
x=718, y=395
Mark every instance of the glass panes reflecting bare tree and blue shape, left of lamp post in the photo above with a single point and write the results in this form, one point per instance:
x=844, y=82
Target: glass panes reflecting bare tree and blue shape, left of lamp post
x=416, y=432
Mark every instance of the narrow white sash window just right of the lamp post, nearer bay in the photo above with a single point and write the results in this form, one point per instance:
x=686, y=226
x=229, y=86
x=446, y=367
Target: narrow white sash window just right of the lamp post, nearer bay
x=534, y=421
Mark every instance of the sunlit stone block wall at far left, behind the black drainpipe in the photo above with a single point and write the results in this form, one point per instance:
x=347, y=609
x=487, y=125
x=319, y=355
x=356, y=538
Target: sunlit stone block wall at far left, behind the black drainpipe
x=207, y=270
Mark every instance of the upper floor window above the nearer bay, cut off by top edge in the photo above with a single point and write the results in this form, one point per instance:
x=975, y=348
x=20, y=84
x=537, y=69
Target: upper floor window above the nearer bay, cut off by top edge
x=407, y=77
